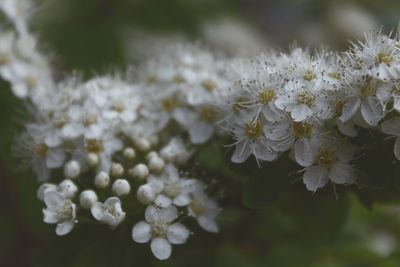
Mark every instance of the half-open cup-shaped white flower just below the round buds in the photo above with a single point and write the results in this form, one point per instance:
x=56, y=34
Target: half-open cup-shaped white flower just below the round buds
x=110, y=212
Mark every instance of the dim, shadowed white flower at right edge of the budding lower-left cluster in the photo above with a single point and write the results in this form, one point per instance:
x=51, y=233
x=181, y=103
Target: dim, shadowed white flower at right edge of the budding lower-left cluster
x=205, y=210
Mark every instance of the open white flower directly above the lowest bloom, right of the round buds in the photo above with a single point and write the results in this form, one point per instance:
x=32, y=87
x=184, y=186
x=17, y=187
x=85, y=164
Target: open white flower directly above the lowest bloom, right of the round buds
x=170, y=188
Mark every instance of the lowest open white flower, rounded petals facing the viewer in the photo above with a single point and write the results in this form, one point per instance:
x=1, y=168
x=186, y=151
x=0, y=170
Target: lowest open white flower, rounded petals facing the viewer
x=160, y=231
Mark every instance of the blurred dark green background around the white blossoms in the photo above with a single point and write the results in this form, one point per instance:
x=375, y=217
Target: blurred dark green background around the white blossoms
x=299, y=229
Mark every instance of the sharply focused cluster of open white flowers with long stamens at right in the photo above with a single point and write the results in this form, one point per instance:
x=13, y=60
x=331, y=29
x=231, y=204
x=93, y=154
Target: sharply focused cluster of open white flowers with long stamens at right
x=311, y=105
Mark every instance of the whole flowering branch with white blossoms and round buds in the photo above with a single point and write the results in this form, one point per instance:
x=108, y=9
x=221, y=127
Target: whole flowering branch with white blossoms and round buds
x=124, y=148
